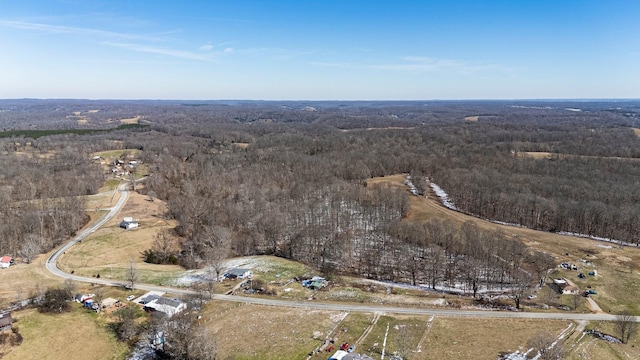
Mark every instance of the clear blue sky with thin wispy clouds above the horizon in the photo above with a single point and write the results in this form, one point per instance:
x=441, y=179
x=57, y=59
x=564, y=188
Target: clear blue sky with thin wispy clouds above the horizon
x=320, y=50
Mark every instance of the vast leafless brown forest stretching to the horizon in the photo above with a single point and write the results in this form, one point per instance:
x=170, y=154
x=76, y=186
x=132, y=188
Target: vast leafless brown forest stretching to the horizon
x=289, y=179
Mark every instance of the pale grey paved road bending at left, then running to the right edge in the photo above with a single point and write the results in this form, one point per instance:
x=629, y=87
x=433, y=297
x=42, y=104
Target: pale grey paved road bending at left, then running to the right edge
x=53, y=268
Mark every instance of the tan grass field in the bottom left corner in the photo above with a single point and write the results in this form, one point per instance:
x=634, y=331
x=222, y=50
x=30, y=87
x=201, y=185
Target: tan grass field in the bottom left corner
x=76, y=335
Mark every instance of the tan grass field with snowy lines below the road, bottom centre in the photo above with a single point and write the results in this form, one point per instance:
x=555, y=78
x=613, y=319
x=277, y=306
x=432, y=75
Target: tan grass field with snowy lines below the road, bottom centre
x=279, y=333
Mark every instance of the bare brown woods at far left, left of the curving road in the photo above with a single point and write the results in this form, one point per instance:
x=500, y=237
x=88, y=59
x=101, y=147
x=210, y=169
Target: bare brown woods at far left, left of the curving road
x=39, y=191
